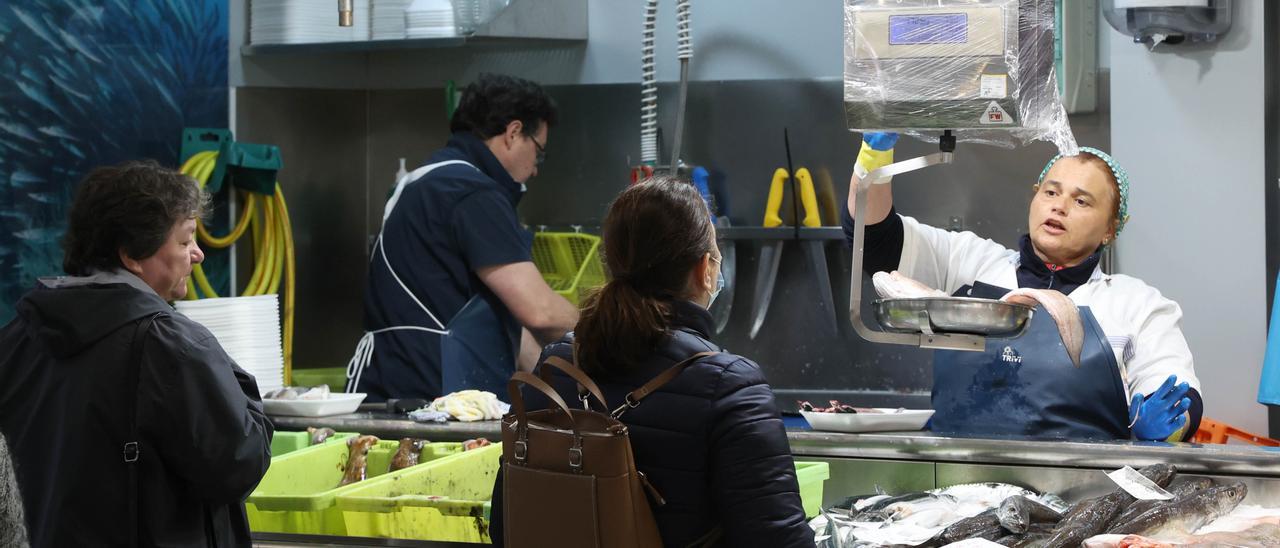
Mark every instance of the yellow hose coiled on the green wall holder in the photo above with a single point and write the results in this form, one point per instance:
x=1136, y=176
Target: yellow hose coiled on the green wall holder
x=267, y=218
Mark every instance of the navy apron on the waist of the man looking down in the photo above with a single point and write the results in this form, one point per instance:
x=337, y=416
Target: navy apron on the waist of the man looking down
x=479, y=353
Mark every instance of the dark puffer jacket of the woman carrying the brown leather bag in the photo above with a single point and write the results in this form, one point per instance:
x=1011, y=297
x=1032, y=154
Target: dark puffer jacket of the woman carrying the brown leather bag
x=711, y=441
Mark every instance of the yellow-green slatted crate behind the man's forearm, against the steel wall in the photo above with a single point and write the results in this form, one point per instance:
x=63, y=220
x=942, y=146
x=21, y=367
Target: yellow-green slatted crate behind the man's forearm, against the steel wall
x=570, y=263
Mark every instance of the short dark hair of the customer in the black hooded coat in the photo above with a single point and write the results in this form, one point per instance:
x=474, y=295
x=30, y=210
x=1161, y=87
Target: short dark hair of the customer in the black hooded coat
x=131, y=207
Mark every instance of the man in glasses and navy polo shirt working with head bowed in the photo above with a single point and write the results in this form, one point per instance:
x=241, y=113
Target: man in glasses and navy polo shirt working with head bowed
x=454, y=296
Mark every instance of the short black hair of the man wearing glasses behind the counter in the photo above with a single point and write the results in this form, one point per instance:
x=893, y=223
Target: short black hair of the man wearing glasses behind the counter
x=495, y=101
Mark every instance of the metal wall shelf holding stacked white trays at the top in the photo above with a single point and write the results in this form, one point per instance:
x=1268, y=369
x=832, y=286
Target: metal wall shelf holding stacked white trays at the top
x=523, y=22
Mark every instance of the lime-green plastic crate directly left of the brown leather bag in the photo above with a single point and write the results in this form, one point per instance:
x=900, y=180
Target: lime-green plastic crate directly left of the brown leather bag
x=446, y=500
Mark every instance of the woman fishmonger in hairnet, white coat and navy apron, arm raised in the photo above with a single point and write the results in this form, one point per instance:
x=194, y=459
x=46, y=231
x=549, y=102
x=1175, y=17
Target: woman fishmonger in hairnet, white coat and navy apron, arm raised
x=1135, y=377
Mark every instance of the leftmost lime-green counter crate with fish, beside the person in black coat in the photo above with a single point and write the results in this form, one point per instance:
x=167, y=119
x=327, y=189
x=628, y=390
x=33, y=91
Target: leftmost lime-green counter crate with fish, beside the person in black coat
x=299, y=491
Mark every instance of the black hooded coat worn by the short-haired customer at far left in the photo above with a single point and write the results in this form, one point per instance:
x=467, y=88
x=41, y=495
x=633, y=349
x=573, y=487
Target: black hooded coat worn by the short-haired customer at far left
x=65, y=392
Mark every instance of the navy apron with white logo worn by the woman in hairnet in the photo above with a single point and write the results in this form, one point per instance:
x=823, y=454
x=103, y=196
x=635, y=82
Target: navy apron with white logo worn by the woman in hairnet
x=1027, y=387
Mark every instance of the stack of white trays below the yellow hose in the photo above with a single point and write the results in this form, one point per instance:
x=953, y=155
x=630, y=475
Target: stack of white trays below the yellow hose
x=249, y=330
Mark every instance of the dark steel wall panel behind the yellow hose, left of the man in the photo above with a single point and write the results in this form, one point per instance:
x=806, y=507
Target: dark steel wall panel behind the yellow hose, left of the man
x=322, y=135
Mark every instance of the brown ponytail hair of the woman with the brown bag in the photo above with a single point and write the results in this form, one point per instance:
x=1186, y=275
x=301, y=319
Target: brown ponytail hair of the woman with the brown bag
x=655, y=235
